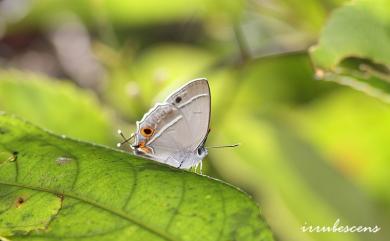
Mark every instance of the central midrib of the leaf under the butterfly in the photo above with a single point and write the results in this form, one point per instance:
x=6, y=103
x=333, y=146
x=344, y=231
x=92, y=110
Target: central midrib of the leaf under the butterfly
x=93, y=203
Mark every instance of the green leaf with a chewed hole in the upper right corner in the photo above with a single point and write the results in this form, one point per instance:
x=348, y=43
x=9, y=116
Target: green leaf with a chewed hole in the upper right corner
x=353, y=49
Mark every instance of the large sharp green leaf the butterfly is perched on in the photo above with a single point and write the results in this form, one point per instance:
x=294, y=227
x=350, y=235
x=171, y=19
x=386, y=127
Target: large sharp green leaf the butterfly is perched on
x=58, y=188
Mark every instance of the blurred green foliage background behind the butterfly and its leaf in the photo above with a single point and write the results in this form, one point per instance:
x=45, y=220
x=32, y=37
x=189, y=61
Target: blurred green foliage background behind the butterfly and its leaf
x=312, y=150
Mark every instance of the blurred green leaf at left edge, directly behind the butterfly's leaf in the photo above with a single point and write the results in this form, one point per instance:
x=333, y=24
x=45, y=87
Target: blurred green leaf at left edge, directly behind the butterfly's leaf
x=58, y=106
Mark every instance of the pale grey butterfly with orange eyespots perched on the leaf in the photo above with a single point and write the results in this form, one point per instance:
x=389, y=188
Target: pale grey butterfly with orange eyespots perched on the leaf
x=175, y=131
